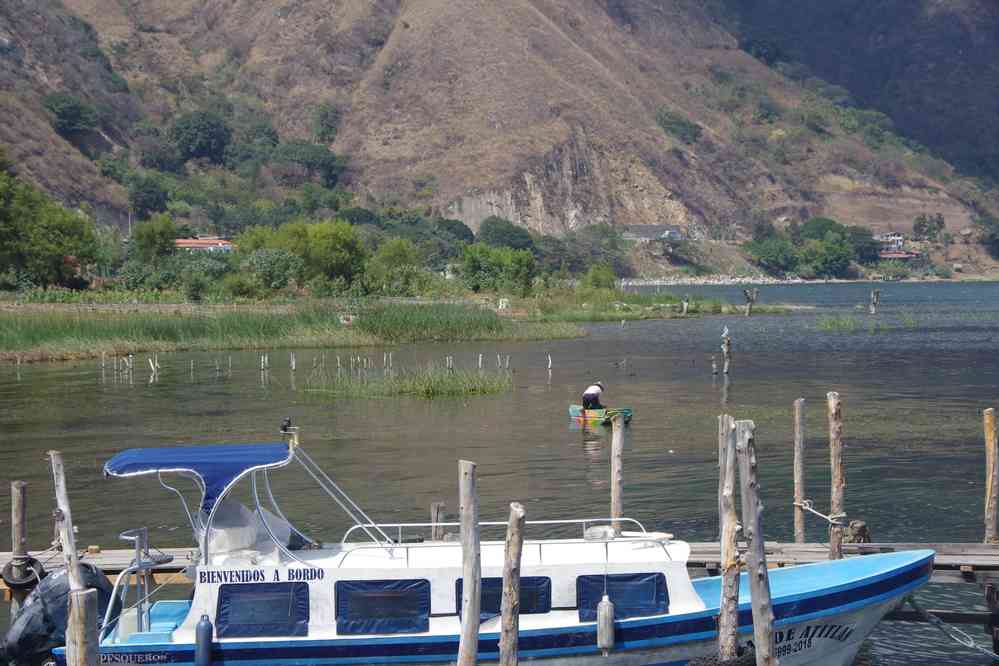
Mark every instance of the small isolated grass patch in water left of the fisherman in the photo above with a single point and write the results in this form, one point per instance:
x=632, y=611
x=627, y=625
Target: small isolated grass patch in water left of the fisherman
x=428, y=383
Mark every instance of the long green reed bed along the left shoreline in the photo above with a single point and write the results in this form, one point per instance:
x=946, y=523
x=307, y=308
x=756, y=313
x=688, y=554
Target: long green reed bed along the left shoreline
x=34, y=334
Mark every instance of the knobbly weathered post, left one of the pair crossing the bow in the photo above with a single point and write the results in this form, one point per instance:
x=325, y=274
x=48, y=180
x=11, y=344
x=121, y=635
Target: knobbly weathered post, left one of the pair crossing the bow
x=728, y=614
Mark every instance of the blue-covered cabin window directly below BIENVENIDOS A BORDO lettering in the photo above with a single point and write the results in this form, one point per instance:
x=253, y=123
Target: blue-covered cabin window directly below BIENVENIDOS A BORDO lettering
x=262, y=609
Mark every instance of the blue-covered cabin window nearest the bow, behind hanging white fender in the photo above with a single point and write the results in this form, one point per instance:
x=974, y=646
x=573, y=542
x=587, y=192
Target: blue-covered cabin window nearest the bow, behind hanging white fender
x=634, y=595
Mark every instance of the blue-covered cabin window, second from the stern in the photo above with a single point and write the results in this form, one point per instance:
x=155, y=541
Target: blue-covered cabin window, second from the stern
x=382, y=606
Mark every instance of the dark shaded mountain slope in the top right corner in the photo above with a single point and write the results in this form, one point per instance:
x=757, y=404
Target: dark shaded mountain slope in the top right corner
x=932, y=65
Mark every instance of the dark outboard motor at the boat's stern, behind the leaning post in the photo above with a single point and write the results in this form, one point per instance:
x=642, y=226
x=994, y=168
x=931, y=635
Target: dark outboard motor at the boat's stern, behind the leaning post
x=40, y=625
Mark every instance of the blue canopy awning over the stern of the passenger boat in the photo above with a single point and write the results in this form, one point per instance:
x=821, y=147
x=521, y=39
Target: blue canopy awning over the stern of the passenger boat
x=215, y=465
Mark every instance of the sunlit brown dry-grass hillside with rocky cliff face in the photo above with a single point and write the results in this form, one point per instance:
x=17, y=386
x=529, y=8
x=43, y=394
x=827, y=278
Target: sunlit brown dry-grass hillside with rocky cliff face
x=548, y=112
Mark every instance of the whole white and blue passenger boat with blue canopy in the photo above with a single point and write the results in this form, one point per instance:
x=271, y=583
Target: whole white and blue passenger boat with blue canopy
x=383, y=595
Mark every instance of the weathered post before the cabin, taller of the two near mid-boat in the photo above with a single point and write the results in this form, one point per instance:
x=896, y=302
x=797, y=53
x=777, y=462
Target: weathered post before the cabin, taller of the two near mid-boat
x=471, y=569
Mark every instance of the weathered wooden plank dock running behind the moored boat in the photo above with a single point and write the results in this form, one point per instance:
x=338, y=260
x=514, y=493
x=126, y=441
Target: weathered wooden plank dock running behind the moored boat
x=955, y=562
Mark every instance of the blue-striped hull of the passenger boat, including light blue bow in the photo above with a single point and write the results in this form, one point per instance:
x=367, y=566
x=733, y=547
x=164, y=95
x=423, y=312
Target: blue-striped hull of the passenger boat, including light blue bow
x=817, y=622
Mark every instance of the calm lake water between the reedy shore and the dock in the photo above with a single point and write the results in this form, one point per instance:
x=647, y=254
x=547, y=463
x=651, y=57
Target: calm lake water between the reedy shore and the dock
x=913, y=380
